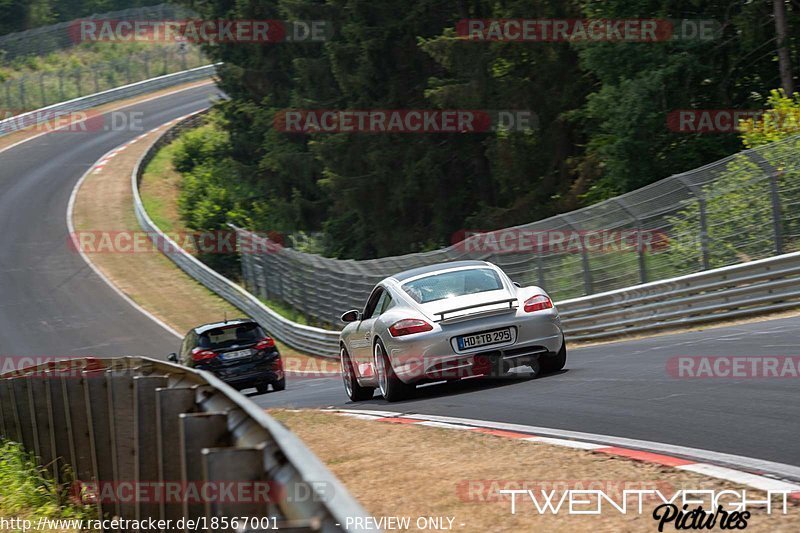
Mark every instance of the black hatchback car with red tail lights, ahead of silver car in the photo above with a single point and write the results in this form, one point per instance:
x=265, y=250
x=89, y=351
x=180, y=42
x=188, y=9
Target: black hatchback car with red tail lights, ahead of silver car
x=238, y=352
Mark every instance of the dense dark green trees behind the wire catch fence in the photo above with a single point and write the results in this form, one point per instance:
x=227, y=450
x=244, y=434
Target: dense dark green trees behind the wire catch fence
x=602, y=110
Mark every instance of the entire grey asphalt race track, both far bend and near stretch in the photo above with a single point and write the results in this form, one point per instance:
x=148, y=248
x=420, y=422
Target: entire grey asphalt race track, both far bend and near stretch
x=52, y=304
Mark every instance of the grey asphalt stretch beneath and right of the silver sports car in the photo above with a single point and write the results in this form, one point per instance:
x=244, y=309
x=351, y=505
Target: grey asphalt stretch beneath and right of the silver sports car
x=623, y=389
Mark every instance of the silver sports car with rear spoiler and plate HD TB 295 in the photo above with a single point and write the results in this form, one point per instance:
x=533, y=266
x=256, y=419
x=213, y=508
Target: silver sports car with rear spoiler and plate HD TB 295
x=447, y=322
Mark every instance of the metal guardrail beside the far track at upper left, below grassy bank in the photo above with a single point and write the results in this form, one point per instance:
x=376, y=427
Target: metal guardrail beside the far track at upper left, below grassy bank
x=52, y=112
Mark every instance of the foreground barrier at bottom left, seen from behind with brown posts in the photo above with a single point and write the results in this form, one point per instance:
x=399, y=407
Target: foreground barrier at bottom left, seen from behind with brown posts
x=137, y=423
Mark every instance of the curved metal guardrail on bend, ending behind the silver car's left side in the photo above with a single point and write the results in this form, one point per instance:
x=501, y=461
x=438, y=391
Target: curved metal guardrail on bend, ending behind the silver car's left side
x=308, y=339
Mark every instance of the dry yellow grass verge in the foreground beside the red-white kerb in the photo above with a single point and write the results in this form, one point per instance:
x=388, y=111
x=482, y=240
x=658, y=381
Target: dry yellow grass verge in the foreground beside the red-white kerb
x=401, y=470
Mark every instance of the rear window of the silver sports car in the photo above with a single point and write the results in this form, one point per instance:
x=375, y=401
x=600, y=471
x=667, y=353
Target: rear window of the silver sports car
x=452, y=284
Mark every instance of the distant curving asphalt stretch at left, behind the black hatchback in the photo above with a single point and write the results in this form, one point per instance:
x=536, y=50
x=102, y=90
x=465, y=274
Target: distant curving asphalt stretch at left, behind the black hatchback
x=51, y=302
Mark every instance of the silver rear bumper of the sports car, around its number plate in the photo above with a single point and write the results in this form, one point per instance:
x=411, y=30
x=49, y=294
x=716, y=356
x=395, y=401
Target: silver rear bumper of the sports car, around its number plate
x=434, y=357
